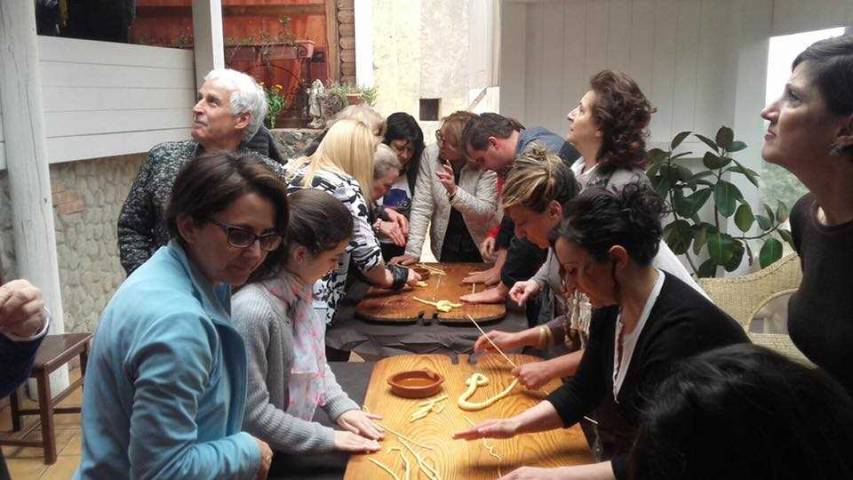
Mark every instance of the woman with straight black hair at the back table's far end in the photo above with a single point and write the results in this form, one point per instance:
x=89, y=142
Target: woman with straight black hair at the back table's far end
x=404, y=135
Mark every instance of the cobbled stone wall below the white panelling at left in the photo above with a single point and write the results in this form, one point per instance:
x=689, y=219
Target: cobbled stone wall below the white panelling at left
x=87, y=197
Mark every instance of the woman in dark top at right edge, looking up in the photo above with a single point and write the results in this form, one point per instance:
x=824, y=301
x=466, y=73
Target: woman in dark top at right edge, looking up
x=811, y=134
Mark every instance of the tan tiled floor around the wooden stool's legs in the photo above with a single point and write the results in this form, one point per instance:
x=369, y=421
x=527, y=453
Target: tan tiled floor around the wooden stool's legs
x=27, y=463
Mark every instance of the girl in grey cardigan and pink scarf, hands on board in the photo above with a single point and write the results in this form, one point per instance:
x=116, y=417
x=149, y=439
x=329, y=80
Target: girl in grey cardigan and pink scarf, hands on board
x=288, y=374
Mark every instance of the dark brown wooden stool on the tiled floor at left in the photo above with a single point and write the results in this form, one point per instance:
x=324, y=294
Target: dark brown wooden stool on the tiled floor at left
x=54, y=352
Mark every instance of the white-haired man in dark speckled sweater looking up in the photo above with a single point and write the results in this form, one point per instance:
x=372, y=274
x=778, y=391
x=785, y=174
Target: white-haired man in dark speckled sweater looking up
x=228, y=116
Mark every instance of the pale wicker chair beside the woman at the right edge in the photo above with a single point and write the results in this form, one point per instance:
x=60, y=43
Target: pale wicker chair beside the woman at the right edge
x=743, y=297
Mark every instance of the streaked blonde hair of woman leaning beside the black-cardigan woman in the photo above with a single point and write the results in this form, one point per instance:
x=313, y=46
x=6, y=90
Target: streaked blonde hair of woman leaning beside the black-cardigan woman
x=537, y=178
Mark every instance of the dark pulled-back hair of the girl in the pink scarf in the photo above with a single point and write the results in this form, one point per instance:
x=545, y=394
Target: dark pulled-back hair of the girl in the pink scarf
x=318, y=221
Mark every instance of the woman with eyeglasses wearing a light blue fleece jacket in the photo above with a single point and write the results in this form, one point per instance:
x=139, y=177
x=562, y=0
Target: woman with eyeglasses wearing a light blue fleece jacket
x=165, y=387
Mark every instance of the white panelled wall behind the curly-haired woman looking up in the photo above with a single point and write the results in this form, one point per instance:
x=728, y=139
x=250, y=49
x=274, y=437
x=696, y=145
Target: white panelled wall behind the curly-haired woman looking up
x=681, y=52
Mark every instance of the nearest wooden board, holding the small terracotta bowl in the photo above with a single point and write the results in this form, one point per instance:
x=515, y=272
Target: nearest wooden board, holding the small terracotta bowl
x=460, y=459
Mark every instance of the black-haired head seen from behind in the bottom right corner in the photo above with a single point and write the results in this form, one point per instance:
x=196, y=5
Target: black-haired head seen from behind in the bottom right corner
x=745, y=412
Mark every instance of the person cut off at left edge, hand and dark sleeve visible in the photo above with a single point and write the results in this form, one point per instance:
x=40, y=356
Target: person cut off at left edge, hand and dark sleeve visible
x=23, y=324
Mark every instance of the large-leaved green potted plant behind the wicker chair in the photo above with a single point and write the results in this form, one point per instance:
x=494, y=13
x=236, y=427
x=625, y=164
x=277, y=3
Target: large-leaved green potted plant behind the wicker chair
x=687, y=192
